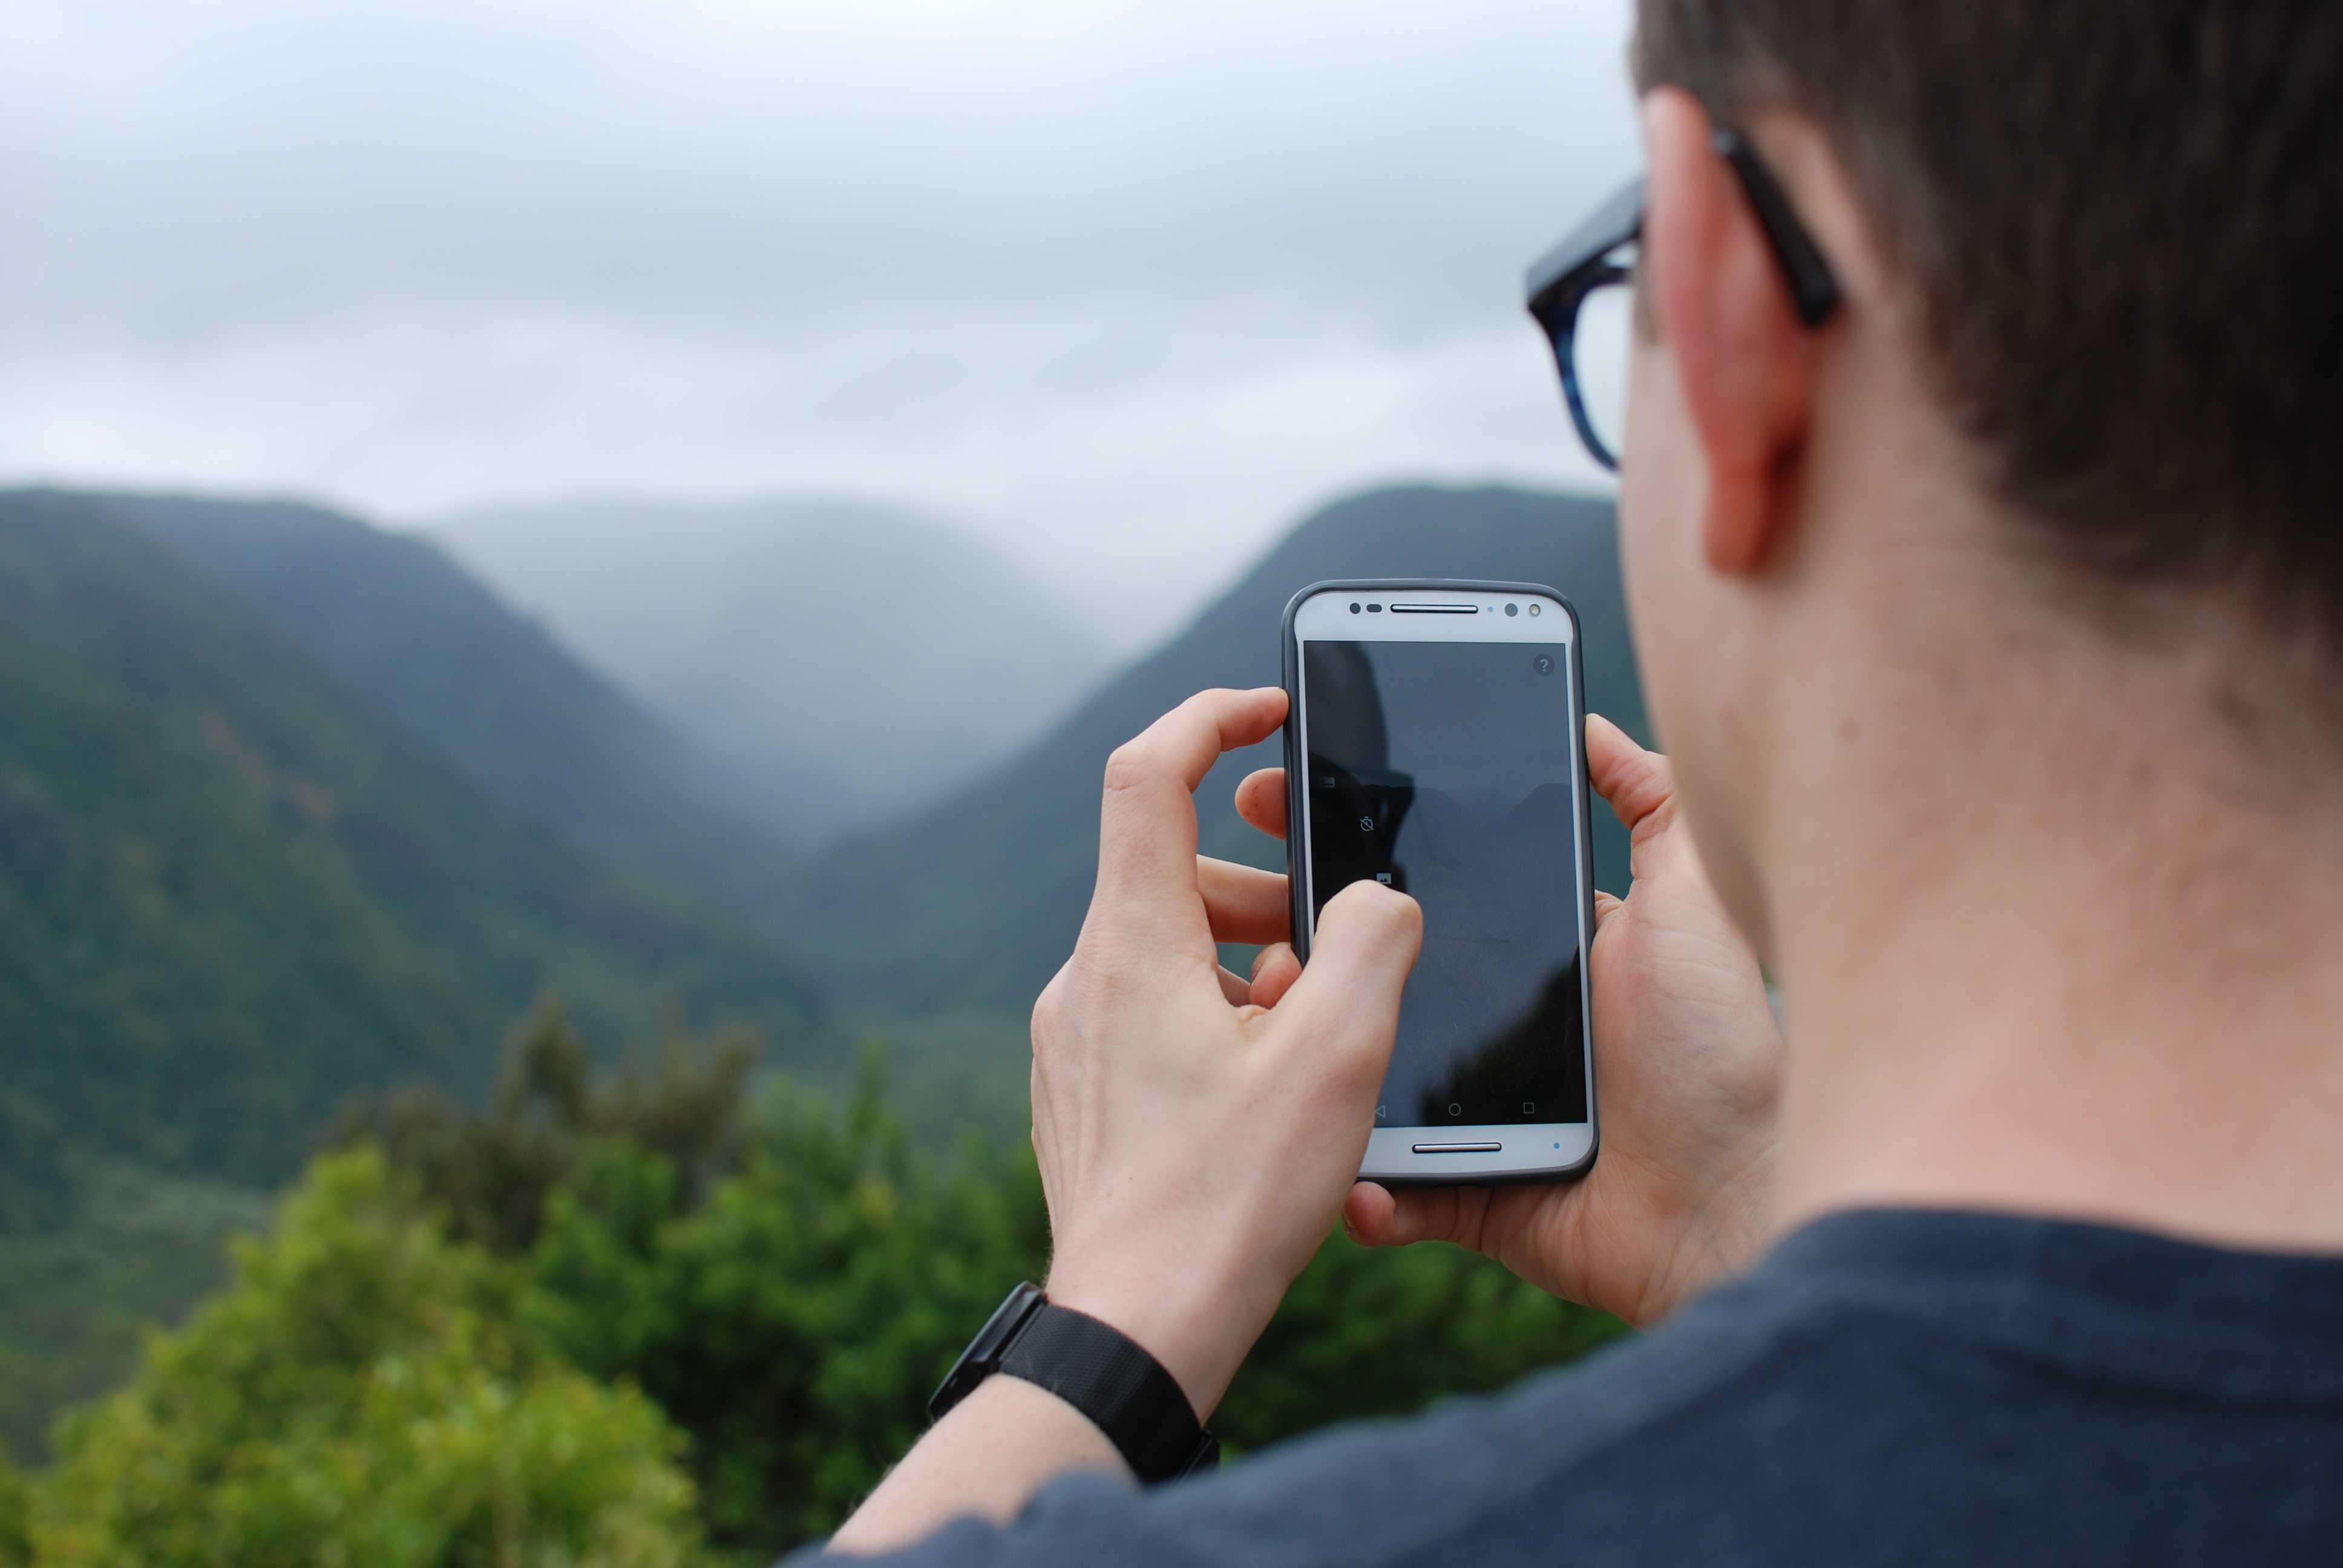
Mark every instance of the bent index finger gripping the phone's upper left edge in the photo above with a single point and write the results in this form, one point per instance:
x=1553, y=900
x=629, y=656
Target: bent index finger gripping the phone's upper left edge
x=1147, y=819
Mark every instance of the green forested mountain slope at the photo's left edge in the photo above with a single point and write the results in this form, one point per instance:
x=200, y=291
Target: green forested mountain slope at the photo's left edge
x=231, y=892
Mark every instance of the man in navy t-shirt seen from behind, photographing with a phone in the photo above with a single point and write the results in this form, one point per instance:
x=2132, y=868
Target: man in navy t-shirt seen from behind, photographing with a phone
x=1988, y=582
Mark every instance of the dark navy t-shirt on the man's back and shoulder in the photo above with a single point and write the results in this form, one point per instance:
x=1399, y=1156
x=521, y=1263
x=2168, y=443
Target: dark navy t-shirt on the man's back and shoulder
x=1890, y=1386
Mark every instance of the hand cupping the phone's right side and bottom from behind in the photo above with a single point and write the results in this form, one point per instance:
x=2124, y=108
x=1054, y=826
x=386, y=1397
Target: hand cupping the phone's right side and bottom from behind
x=1688, y=1061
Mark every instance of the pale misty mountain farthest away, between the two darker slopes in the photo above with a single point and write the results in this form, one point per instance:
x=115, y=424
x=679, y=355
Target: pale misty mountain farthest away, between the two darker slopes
x=852, y=662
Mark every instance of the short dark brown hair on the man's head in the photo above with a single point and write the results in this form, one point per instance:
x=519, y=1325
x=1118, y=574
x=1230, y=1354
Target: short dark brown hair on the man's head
x=2124, y=229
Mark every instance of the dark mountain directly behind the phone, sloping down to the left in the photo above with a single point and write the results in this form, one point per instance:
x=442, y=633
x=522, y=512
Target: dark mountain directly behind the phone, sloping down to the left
x=974, y=904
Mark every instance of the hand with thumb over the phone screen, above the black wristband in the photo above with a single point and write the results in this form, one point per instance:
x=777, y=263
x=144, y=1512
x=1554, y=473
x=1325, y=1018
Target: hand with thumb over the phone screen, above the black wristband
x=1196, y=1147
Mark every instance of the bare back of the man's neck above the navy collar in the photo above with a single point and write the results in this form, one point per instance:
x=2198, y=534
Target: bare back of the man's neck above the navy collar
x=2077, y=979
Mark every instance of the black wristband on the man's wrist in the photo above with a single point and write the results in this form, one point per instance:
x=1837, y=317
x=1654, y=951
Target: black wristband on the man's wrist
x=1100, y=1372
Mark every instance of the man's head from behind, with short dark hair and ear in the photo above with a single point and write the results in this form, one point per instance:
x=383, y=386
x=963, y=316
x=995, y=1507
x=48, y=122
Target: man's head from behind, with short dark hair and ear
x=2086, y=404
